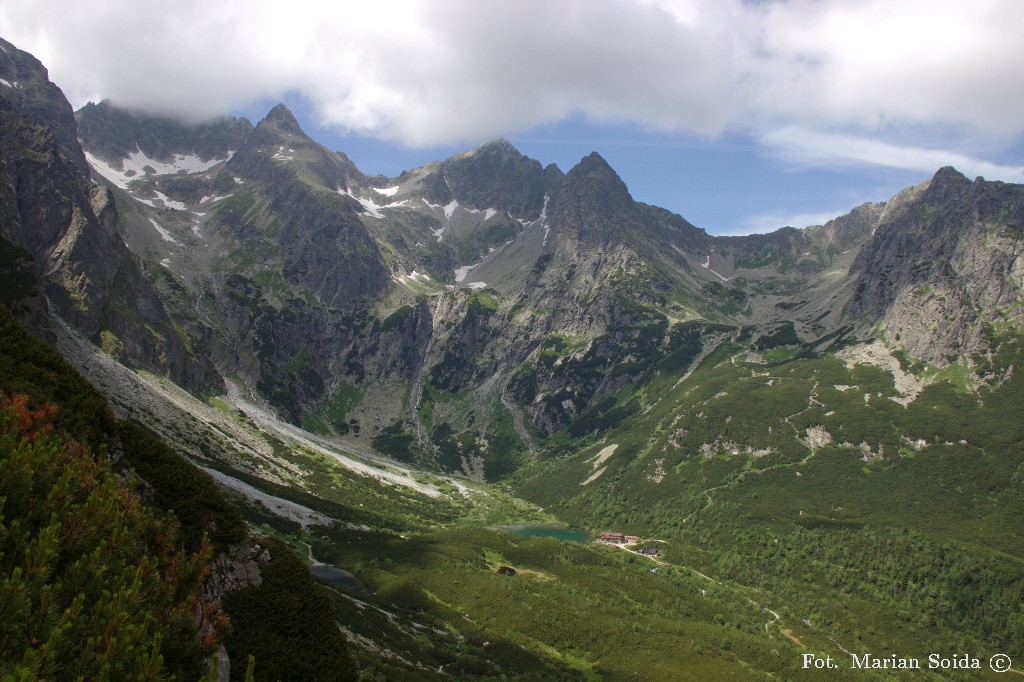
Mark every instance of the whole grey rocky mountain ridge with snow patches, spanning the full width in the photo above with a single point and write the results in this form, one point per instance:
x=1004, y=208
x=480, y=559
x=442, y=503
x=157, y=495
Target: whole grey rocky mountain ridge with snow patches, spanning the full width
x=460, y=312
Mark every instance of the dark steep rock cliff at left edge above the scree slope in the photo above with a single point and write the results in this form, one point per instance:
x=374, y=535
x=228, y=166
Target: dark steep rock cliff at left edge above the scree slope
x=53, y=210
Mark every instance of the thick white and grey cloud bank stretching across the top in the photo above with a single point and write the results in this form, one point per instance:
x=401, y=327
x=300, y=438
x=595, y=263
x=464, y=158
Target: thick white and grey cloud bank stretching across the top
x=455, y=71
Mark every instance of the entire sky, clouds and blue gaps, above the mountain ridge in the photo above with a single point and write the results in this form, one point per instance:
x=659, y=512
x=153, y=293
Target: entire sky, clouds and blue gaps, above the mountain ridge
x=740, y=116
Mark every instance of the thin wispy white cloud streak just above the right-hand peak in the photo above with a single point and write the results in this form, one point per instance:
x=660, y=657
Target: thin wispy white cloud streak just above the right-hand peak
x=806, y=148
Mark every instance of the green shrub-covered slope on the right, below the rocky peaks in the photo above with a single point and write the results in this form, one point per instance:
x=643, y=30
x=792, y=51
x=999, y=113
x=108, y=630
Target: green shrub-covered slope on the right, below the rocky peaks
x=889, y=527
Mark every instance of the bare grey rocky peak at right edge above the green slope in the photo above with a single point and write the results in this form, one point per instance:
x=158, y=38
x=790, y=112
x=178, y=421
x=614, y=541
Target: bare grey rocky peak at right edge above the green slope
x=946, y=262
